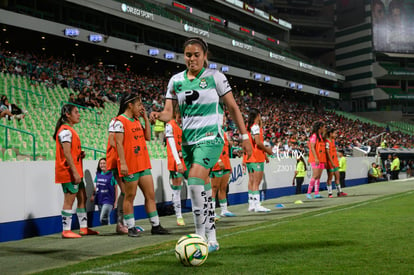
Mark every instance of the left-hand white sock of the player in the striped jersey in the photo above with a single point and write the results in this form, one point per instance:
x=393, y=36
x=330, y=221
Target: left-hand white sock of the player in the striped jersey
x=199, y=203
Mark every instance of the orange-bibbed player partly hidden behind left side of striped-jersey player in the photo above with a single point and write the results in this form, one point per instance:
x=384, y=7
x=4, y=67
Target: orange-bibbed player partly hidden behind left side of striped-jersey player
x=176, y=164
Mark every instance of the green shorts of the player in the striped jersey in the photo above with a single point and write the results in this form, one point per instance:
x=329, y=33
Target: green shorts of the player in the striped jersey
x=204, y=154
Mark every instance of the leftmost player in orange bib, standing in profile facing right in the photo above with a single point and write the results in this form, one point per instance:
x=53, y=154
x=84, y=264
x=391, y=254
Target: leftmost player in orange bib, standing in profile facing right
x=69, y=171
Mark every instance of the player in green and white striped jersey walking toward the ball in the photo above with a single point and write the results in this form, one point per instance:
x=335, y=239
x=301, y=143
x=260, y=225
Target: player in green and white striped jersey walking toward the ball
x=200, y=92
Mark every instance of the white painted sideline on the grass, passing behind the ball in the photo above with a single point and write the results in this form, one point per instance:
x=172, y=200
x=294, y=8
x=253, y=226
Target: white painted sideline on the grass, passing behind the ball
x=101, y=270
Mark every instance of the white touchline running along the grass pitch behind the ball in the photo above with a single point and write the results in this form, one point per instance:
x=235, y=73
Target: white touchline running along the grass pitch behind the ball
x=104, y=269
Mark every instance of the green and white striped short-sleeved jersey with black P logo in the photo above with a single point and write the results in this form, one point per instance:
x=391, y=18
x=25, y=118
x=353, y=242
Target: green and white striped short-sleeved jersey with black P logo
x=200, y=105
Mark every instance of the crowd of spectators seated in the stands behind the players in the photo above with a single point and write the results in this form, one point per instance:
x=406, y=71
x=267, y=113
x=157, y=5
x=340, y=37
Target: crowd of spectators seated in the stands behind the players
x=286, y=122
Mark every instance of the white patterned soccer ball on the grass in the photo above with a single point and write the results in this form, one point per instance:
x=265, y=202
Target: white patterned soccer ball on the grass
x=191, y=250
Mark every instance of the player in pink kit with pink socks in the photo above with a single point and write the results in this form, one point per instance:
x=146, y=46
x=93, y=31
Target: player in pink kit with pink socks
x=317, y=157
